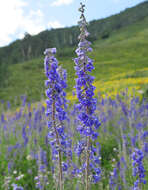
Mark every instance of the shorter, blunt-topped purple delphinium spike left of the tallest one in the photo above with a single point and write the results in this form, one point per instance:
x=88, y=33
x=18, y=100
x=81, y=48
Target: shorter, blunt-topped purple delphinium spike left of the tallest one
x=56, y=106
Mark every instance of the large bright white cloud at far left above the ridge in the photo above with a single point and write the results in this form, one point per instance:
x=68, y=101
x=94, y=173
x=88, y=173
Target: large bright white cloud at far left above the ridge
x=13, y=20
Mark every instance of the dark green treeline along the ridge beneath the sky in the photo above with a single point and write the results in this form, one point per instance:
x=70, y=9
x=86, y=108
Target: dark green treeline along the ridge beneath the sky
x=34, y=46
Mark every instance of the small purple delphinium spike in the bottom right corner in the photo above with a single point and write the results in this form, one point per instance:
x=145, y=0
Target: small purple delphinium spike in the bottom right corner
x=138, y=169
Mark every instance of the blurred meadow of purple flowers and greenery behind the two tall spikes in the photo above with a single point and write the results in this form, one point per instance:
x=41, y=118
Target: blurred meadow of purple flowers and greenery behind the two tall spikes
x=26, y=157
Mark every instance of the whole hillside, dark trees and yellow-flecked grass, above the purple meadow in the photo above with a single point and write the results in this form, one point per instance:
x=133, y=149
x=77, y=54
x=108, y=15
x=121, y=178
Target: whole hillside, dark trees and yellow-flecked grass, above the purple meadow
x=120, y=52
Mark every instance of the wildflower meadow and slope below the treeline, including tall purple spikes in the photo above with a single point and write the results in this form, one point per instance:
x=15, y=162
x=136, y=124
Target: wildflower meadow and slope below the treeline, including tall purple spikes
x=89, y=131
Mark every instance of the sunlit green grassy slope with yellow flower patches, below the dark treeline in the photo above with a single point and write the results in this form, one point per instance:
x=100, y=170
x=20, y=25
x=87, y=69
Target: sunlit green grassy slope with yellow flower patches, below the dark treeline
x=120, y=61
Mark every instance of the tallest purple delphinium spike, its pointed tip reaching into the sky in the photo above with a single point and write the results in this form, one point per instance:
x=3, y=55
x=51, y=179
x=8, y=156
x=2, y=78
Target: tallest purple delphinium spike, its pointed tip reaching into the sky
x=88, y=122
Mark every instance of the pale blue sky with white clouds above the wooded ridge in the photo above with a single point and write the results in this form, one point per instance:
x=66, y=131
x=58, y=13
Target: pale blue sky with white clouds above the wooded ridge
x=33, y=16
